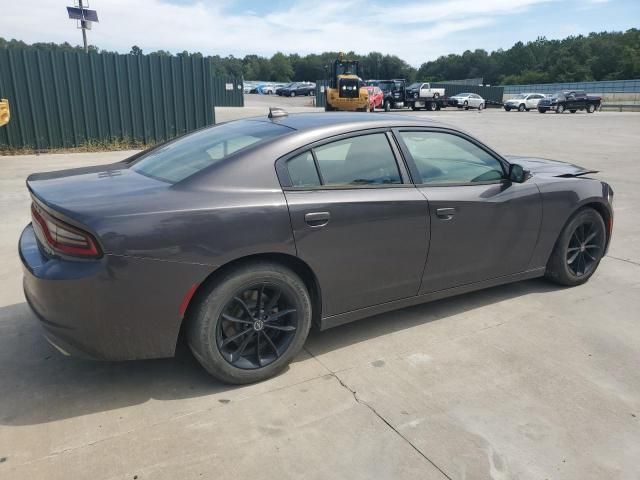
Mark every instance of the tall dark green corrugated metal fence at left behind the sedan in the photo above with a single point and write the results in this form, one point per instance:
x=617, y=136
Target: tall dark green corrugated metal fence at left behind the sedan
x=66, y=99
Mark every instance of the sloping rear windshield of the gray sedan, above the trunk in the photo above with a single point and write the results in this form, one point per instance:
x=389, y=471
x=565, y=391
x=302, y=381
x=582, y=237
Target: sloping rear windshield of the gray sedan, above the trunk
x=192, y=153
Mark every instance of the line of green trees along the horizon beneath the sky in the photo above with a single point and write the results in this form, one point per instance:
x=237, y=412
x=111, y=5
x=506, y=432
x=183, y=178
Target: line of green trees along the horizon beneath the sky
x=597, y=56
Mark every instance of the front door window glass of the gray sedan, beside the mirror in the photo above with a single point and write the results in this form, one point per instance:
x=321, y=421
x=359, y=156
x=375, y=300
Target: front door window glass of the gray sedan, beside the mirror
x=444, y=158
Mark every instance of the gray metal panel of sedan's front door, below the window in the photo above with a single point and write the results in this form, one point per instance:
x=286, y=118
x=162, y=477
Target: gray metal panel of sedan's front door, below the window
x=490, y=233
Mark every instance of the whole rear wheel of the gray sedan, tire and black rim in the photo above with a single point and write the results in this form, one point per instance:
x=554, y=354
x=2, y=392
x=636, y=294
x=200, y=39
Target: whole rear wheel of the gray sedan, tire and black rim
x=250, y=323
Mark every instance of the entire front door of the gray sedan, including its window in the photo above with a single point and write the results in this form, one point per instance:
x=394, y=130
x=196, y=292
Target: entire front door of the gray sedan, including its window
x=483, y=226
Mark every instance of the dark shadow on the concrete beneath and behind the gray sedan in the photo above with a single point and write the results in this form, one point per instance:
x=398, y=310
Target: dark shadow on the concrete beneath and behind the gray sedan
x=39, y=385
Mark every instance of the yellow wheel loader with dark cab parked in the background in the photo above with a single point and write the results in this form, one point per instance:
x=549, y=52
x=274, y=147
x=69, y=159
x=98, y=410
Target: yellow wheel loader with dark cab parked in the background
x=346, y=90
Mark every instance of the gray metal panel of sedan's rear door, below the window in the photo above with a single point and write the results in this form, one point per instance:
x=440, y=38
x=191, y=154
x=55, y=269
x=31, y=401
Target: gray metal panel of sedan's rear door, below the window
x=373, y=248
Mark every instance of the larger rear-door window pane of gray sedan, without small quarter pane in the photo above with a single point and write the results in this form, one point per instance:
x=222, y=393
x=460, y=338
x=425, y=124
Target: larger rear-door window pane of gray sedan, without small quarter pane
x=362, y=160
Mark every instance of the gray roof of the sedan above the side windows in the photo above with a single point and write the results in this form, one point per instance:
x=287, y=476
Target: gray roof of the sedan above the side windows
x=349, y=120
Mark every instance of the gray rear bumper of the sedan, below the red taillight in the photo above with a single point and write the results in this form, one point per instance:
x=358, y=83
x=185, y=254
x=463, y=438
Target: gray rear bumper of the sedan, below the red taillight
x=112, y=308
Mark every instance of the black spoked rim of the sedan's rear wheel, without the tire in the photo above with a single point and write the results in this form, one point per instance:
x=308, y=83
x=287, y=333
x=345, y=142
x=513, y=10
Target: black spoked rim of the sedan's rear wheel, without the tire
x=257, y=326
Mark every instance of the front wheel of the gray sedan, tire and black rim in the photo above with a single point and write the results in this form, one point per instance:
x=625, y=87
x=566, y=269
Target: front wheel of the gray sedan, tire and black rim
x=578, y=250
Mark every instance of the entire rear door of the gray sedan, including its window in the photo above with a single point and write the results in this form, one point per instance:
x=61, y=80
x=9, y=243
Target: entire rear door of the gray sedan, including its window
x=357, y=220
